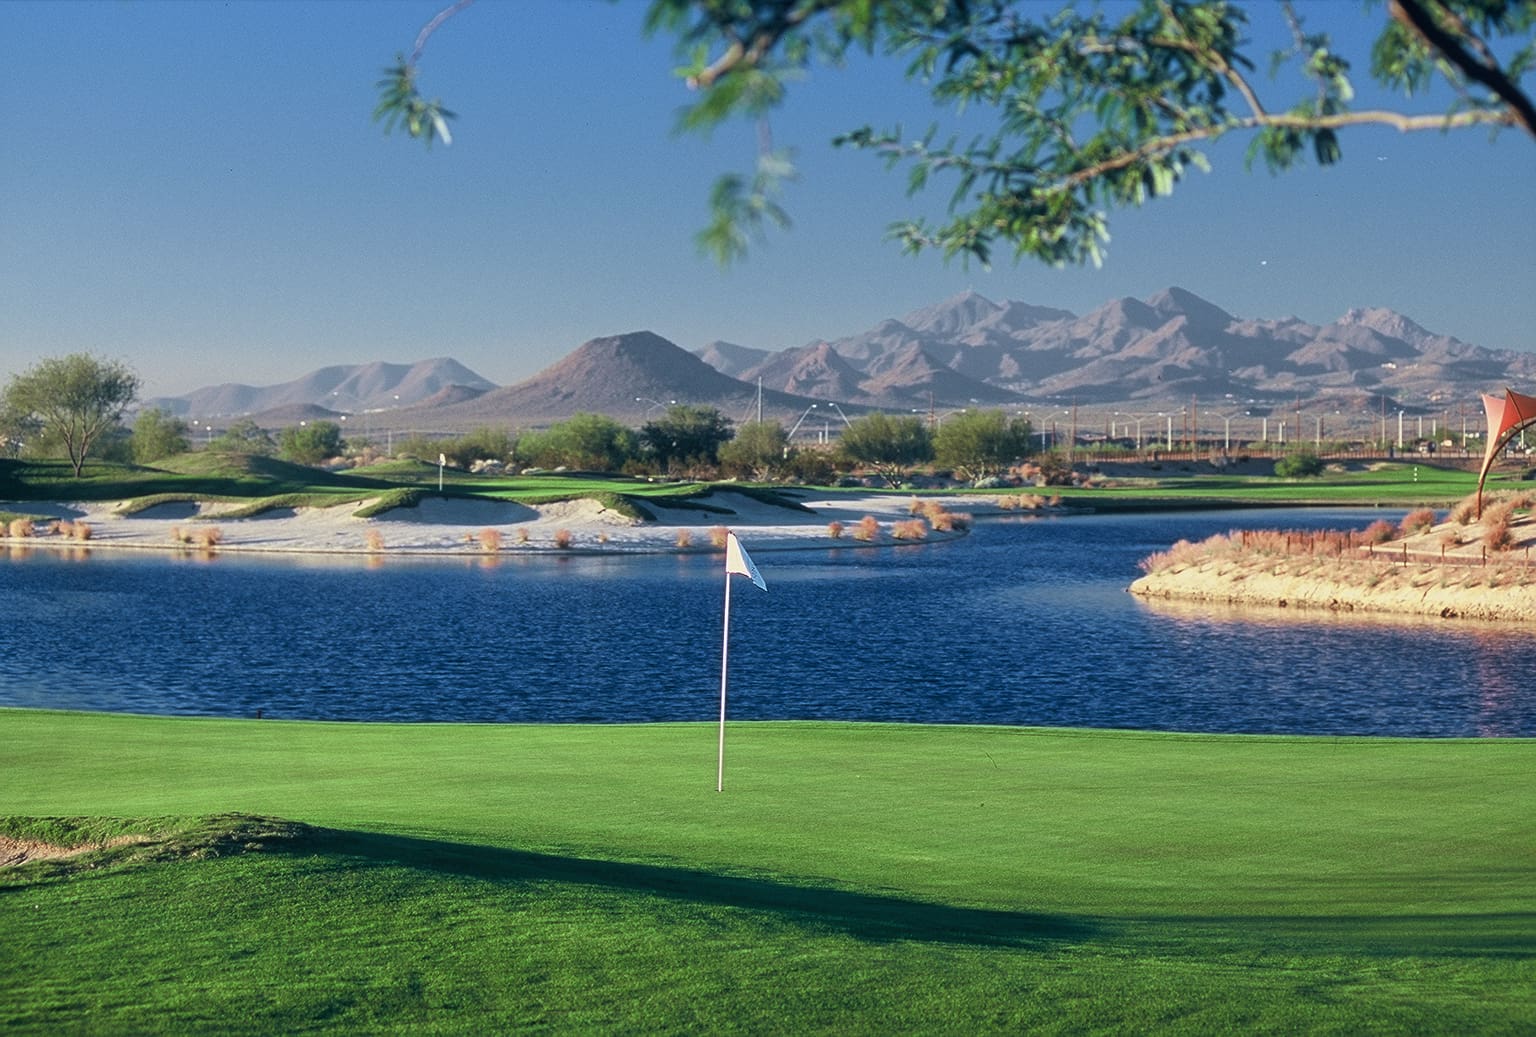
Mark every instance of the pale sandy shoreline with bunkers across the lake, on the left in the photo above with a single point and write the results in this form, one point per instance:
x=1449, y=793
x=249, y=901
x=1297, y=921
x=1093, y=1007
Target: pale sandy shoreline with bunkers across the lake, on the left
x=455, y=526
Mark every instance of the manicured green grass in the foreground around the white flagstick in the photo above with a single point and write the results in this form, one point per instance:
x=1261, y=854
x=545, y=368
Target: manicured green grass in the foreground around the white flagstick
x=850, y=880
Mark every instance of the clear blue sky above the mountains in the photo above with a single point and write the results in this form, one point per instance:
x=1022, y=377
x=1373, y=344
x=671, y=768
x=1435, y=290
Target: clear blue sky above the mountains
x=199, y=190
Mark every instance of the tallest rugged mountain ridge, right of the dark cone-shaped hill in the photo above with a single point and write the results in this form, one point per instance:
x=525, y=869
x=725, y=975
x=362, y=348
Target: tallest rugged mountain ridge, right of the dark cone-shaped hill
x=1170, y=346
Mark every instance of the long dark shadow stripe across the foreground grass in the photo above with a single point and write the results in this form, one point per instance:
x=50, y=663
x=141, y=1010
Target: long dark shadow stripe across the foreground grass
x=864, y=916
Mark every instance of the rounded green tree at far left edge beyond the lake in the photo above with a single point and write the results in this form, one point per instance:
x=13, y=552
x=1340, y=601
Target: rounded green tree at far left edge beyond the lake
x=73, y=399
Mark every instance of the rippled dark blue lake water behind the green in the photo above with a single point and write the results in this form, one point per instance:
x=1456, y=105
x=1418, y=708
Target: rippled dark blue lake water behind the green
x=1025, y=621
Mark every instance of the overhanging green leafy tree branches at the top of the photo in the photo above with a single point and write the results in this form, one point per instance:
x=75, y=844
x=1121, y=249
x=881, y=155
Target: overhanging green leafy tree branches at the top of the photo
x=1090, y=111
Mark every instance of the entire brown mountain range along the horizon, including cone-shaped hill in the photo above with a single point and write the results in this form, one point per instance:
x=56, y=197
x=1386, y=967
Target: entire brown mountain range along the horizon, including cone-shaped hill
x=965, y=351
